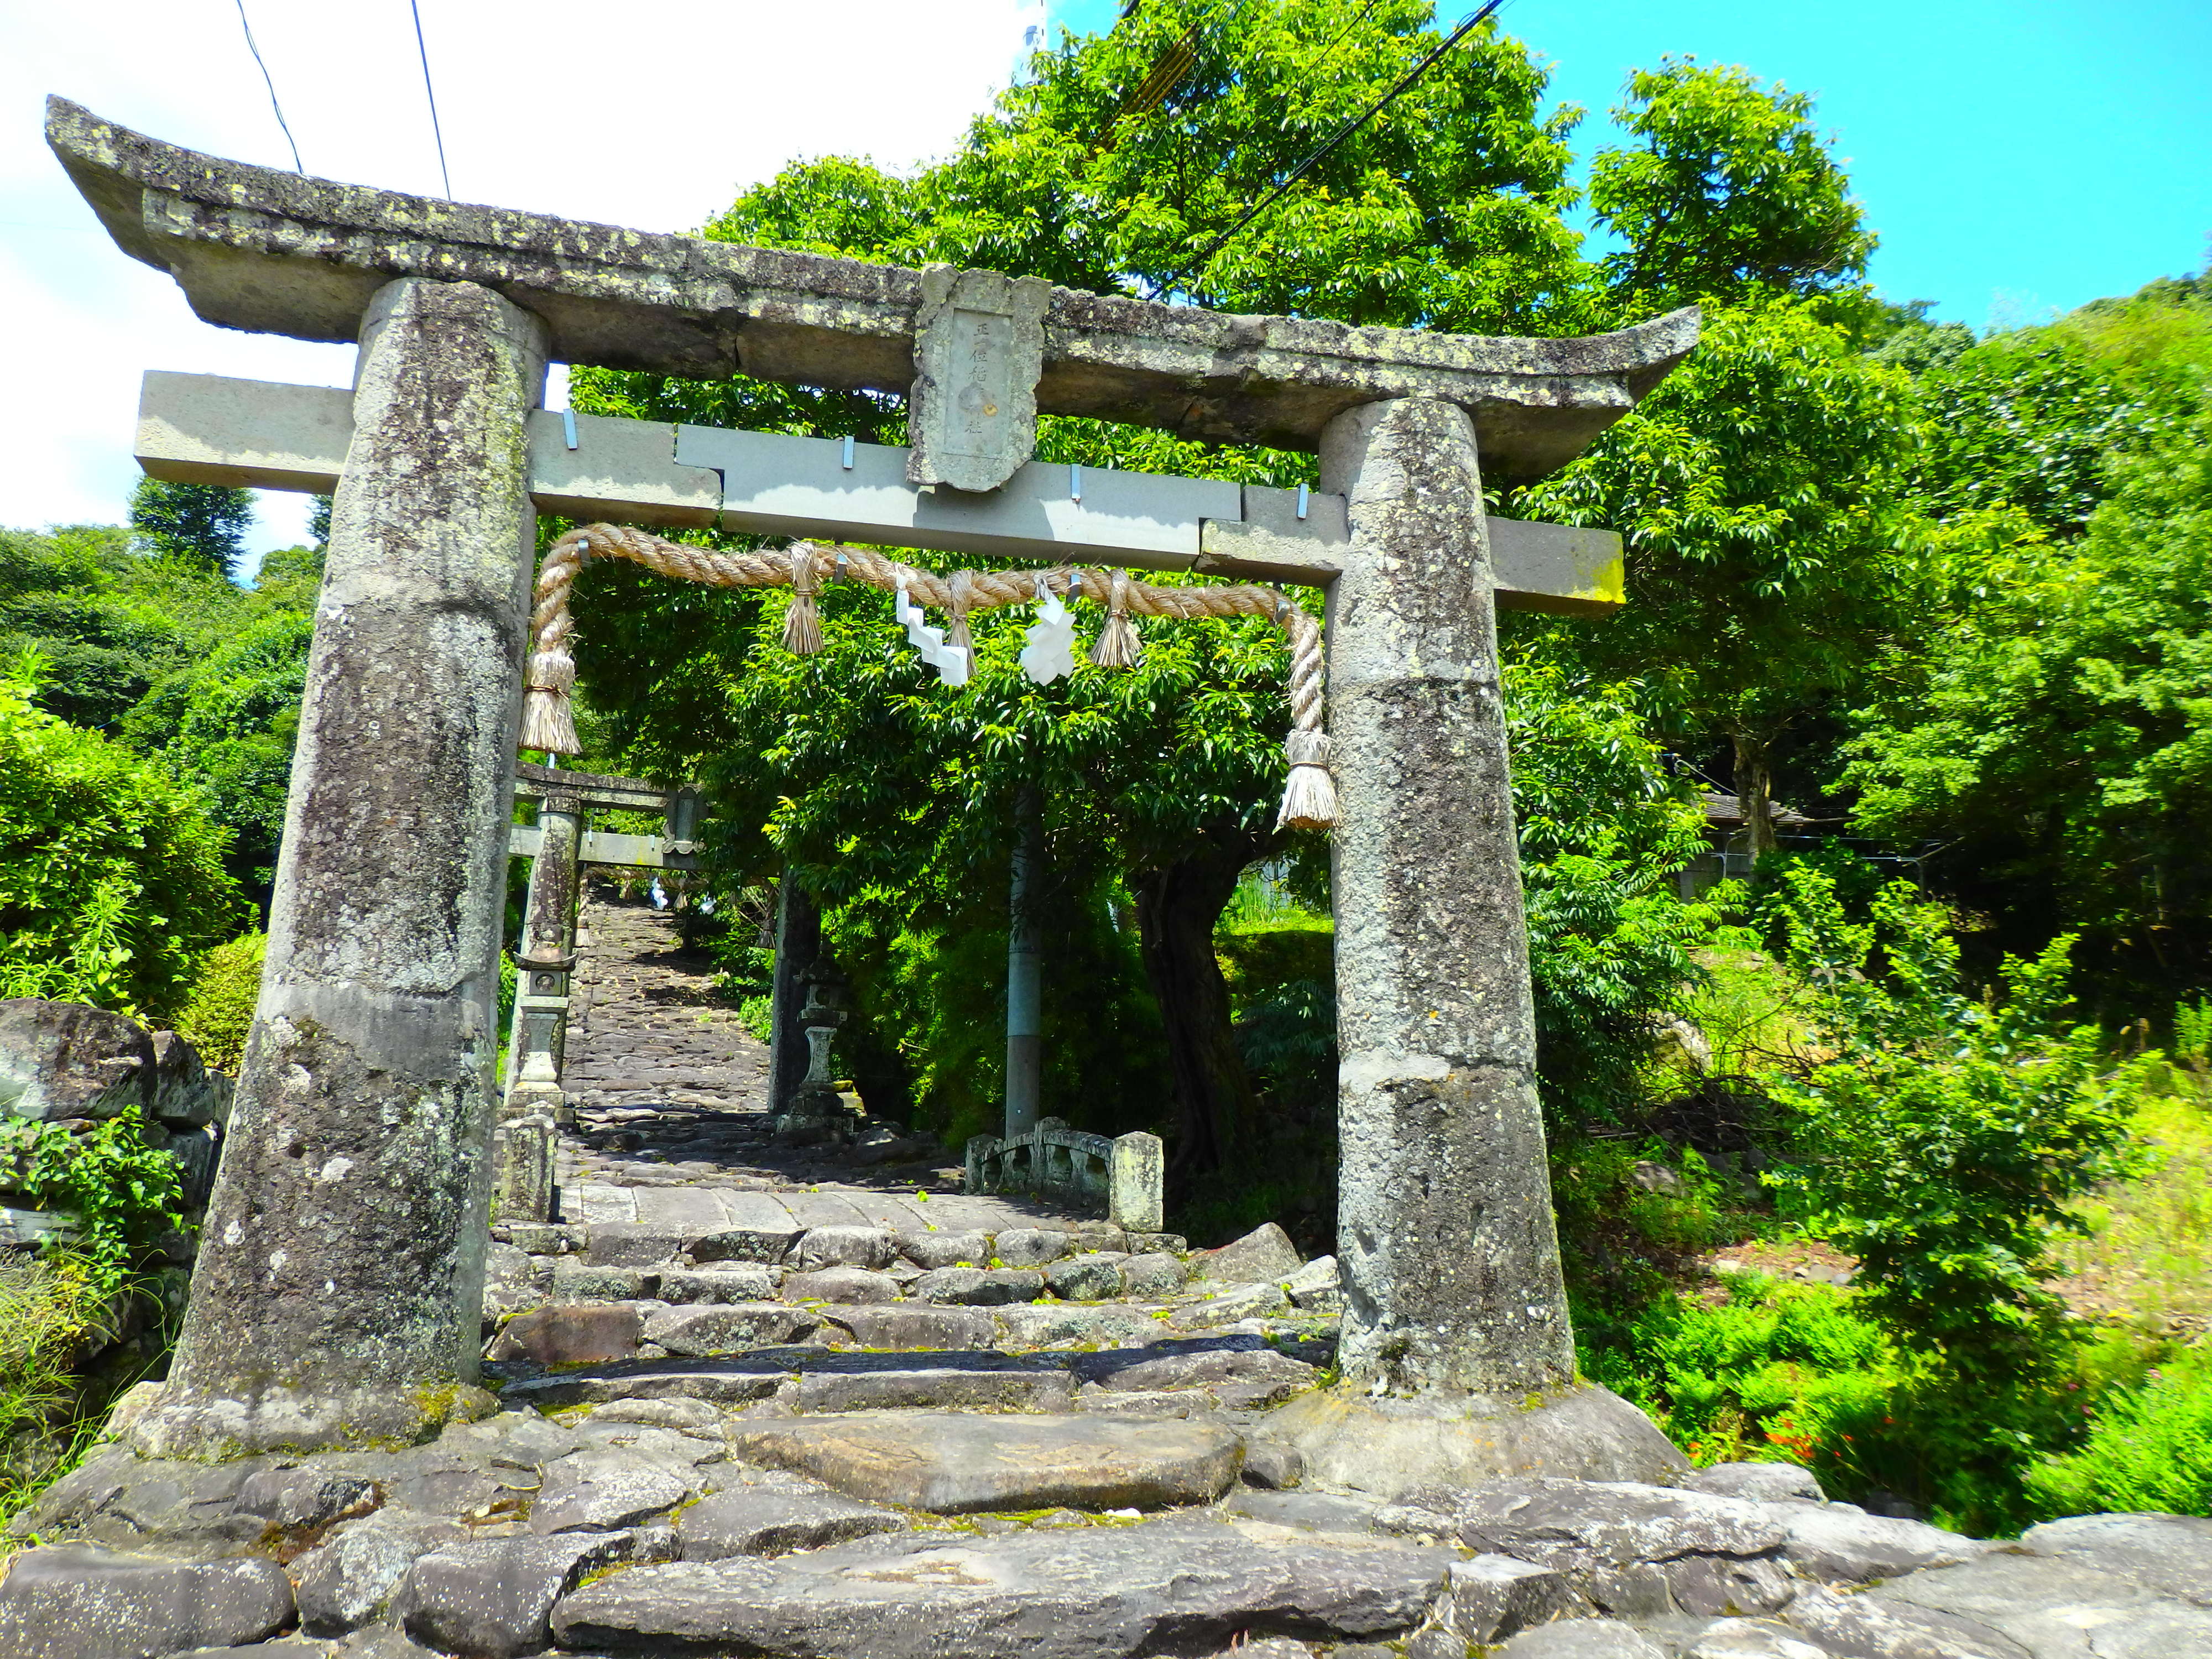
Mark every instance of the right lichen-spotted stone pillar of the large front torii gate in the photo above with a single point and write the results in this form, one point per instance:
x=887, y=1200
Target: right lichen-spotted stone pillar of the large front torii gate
x=1446, y=1229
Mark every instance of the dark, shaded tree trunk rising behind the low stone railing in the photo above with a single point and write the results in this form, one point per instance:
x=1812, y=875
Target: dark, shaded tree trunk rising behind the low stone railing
x=1178, y=910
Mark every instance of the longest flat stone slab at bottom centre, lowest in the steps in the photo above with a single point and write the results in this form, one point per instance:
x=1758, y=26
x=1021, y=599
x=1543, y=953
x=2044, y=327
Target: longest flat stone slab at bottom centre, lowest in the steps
x=1167, y=1587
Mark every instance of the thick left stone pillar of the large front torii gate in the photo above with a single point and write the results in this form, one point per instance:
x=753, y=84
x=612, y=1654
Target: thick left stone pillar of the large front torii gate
x=340, y=1277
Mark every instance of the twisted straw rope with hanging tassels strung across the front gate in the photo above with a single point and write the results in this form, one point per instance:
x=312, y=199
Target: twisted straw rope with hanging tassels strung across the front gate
x=547, y=724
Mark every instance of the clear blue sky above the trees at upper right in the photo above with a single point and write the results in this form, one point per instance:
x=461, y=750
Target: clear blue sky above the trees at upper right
x=2014, y=158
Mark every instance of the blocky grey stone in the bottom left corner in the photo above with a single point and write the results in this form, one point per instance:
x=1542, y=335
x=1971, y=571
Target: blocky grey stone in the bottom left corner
x=87, y=1603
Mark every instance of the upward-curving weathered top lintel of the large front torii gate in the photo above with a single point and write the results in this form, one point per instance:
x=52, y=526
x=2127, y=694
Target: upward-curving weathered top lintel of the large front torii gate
x=282, y=253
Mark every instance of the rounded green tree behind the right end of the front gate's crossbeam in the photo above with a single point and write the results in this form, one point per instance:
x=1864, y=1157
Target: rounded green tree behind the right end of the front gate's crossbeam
x=1771, y=536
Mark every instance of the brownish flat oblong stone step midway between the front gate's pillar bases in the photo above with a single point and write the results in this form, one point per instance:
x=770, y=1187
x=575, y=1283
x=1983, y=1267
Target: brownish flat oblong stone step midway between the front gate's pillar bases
x=957, y=1465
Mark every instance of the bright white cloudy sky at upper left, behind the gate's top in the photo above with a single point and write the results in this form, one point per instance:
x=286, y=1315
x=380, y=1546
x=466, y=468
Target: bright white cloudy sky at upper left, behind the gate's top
x=654, y=116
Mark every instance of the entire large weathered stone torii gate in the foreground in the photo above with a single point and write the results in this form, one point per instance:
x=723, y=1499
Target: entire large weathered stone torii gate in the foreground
x=340, y=1282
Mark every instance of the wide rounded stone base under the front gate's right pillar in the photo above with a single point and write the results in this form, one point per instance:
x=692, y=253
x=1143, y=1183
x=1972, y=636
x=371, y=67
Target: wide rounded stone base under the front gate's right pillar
x=1390, y=1446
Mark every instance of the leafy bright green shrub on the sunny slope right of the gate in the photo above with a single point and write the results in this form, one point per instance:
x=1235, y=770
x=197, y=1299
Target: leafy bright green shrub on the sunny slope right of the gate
x=1948, y=1138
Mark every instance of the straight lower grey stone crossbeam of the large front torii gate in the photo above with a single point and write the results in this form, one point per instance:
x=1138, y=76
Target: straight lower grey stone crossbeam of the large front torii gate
x=213, y=430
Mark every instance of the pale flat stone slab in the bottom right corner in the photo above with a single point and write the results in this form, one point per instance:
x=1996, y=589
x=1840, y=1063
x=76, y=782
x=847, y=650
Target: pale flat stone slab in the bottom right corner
x=2058, y=1609
